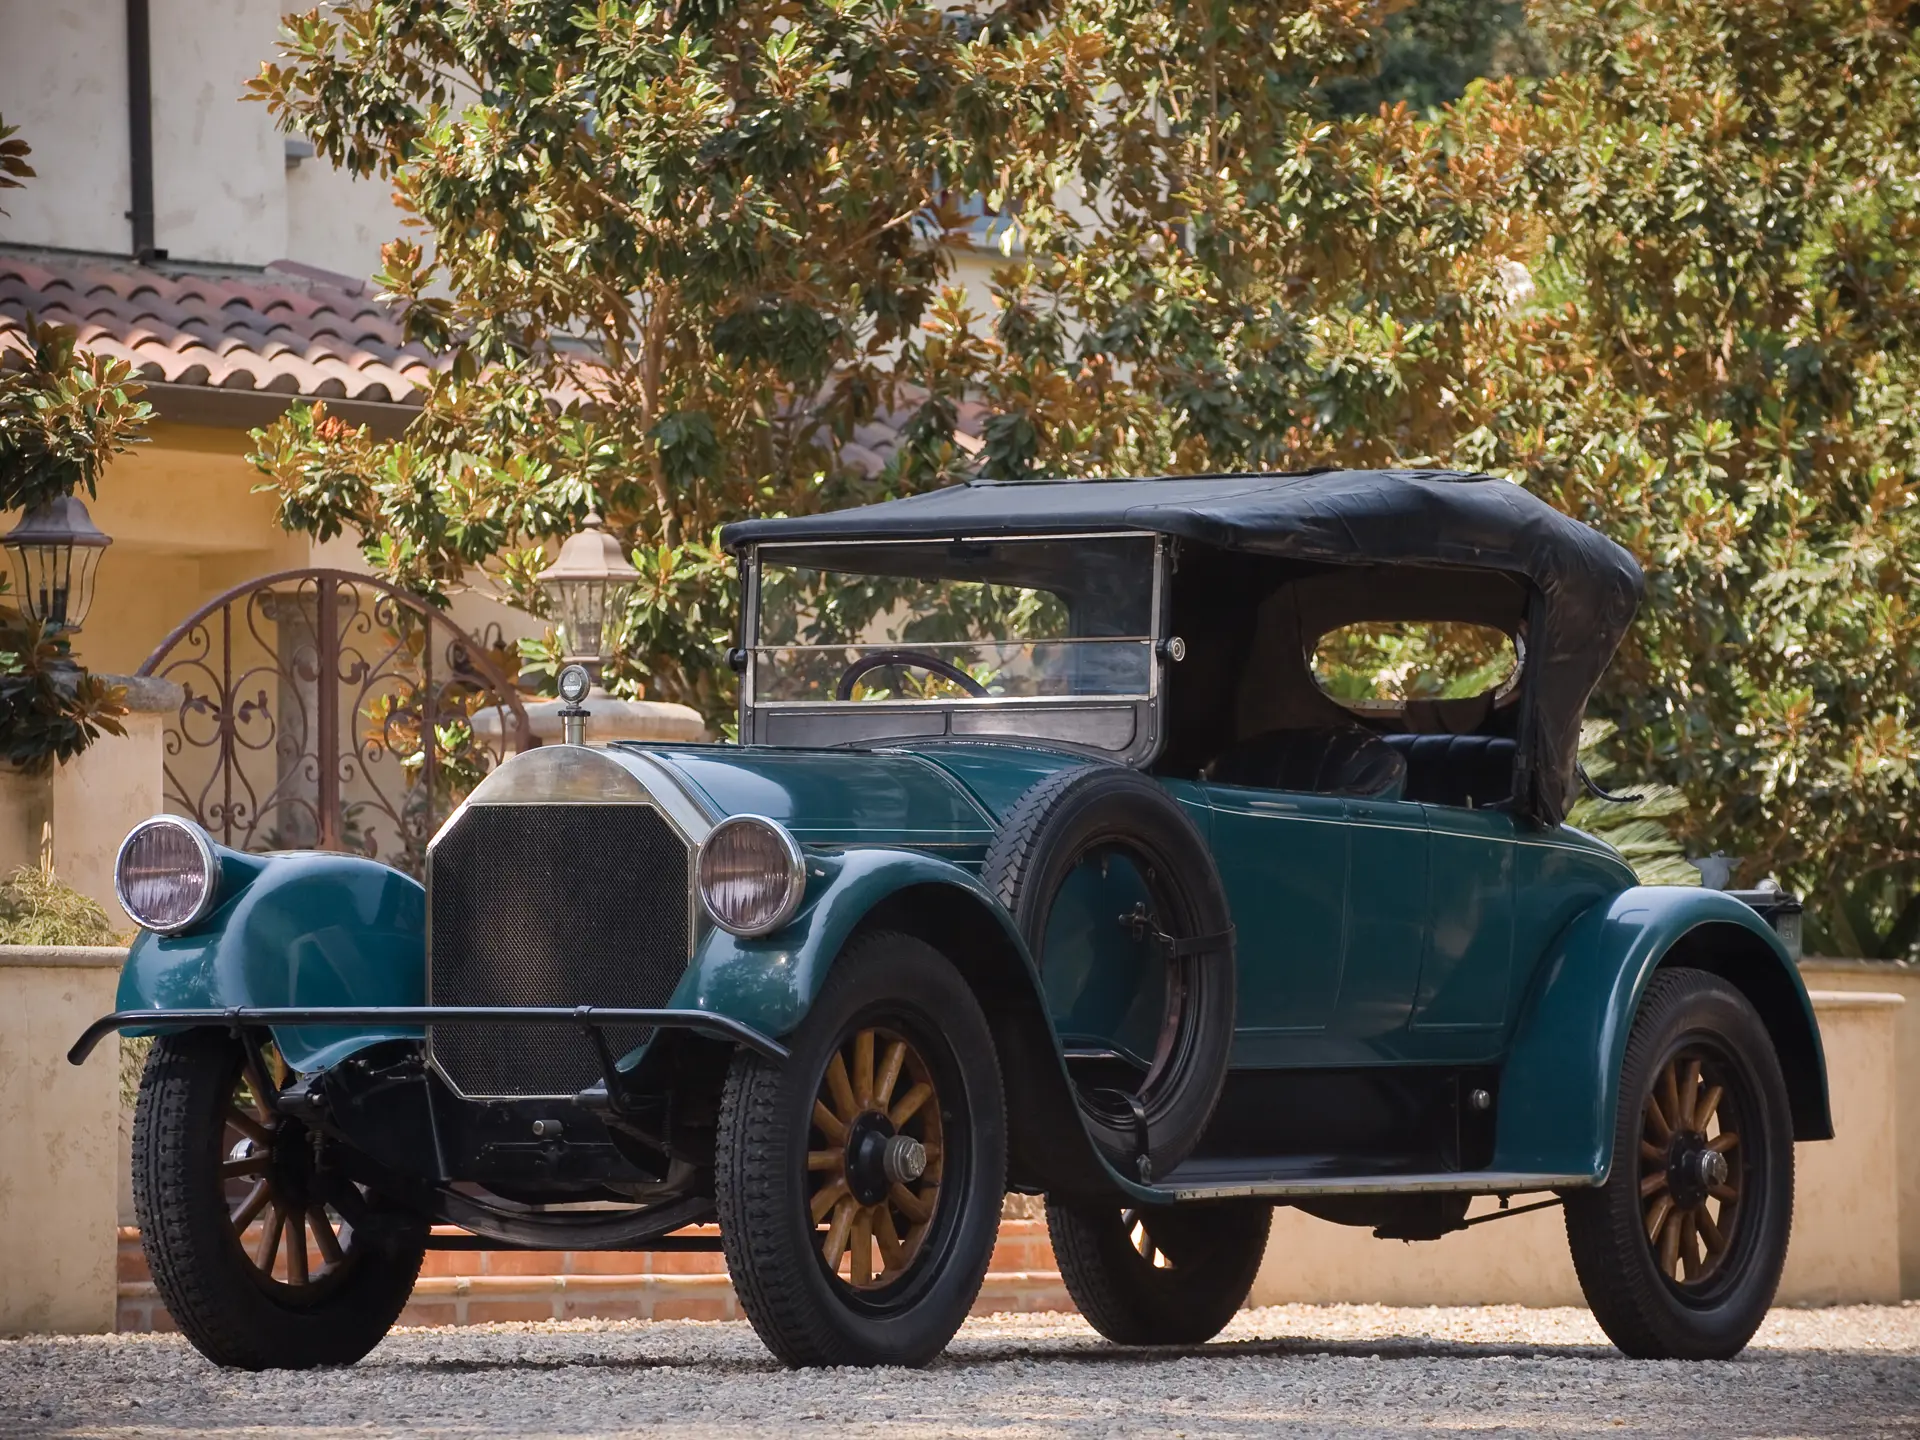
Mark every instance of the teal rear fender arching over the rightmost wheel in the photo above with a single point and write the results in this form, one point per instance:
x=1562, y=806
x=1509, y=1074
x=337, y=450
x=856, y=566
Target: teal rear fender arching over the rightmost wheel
x=1562, y=1082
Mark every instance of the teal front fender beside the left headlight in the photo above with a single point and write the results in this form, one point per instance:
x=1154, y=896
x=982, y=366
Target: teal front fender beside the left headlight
x=293, y=930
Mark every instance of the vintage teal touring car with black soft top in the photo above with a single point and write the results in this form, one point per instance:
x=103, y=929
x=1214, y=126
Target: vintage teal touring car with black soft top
x=1055, y=857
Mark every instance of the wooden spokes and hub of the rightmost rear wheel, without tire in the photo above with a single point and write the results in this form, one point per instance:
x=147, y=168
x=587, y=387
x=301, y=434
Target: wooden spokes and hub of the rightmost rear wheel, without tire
x=1691, y=1168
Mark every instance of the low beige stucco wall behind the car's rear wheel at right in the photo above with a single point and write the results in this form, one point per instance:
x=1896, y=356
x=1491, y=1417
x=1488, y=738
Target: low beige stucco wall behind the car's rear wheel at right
x=1846, y=1224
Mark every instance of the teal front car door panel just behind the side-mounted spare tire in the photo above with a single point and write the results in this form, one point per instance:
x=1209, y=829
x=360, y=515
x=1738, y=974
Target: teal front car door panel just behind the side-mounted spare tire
x=1284, y=859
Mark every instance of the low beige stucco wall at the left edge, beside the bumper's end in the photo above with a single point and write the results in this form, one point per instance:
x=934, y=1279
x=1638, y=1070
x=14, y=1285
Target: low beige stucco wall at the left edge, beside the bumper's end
x=59, y=1153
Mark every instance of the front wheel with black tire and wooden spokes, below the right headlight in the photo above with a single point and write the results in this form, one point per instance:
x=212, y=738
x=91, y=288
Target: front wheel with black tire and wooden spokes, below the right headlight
x=775, y=1163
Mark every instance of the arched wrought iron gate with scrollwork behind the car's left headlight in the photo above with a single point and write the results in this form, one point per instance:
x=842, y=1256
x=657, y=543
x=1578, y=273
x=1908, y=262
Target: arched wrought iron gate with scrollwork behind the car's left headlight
x=331, y=711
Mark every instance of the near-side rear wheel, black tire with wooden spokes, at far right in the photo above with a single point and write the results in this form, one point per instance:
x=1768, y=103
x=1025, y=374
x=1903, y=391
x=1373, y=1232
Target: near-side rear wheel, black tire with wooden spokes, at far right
x=1702, y=1053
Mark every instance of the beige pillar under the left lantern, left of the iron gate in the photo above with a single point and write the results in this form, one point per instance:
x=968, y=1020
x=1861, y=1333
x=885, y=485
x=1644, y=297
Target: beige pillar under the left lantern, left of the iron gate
x=108, y=788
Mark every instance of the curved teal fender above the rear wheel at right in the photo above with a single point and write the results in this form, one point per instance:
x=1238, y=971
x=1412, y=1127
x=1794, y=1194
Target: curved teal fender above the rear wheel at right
x=1562, y=1078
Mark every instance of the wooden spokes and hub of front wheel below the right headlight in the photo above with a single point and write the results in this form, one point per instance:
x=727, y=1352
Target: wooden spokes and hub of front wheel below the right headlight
x=875, y=1159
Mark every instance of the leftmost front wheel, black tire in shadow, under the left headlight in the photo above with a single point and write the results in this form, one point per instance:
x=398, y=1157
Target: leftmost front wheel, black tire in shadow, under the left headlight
x=231, y=1308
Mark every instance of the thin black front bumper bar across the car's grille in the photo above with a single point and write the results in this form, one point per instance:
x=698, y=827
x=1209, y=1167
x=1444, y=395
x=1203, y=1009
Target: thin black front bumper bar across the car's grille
x=590, y=1020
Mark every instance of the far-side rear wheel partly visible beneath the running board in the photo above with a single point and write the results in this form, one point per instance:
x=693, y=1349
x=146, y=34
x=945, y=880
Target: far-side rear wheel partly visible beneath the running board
x=1161, y=1278
